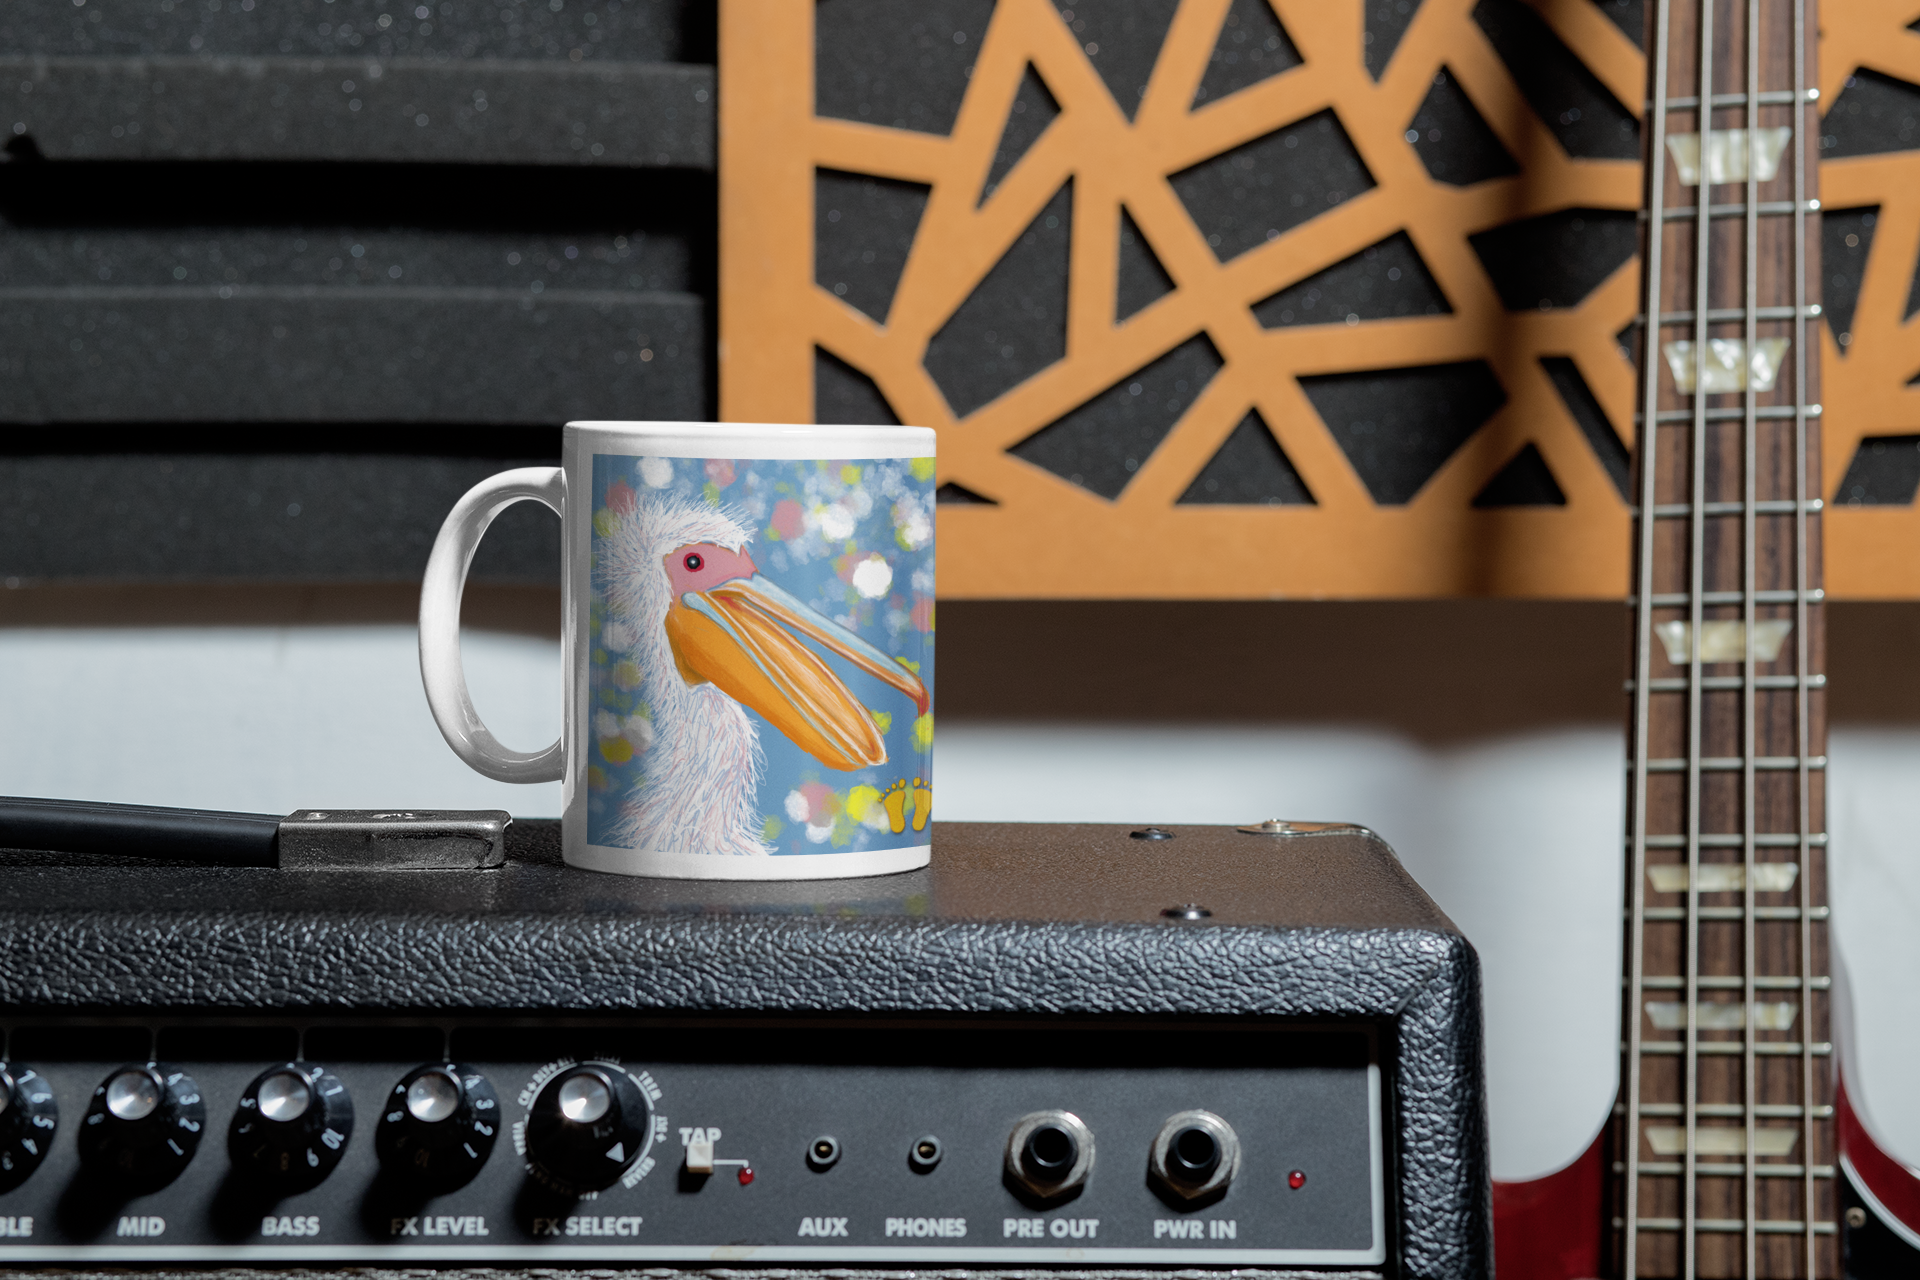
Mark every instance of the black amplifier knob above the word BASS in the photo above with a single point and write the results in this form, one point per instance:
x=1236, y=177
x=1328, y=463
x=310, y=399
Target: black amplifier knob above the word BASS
x=293, y=1126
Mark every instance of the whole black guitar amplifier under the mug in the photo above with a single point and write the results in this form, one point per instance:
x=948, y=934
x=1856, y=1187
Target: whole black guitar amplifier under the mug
x=1074, y=1047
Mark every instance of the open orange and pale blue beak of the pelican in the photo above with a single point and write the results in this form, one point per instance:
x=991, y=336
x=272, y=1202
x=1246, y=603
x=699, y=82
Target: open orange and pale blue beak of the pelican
x=744, y=640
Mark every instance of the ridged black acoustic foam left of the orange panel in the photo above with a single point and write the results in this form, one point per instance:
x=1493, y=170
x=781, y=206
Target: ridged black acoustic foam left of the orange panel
x=281, y=281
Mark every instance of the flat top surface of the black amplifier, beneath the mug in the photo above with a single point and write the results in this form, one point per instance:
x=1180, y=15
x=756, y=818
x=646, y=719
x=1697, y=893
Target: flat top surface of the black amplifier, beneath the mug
x=1072, y=874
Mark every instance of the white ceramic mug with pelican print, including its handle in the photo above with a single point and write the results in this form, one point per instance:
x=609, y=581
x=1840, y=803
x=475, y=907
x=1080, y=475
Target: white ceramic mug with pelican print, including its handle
x=748, y=648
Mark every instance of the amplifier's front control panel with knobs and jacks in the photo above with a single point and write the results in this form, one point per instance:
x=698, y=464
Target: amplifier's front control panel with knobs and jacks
x=694, y=1143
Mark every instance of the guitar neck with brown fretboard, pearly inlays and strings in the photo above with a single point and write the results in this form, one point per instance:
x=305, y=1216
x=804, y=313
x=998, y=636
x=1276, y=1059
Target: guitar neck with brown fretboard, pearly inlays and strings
x=1727, y=1149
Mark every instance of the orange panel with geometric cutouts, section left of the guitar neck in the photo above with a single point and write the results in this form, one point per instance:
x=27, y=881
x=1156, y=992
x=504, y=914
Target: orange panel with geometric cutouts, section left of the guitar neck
x=1255, y=302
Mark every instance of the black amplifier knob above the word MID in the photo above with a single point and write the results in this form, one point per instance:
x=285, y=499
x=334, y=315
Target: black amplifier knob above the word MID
x=143, y=1126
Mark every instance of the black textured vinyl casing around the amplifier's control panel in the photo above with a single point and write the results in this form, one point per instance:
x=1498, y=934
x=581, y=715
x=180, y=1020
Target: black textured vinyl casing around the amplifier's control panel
x=1011, y=920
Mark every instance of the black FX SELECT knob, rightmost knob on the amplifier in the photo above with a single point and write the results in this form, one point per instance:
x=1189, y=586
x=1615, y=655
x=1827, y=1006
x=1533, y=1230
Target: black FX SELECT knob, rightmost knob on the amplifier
x=587, y=1129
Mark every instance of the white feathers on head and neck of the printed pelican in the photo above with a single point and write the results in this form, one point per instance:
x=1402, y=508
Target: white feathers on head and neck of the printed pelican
x=704, y=767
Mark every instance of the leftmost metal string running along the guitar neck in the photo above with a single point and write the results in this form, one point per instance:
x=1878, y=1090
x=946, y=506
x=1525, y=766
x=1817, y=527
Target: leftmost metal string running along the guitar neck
x=1644, y=617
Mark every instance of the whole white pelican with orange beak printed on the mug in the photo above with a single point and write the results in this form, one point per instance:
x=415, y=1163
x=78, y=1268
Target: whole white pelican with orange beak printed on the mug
x=711, y=638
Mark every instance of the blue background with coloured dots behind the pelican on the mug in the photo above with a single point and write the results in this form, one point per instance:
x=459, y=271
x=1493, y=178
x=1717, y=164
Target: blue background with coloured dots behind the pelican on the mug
x=850, y=538
